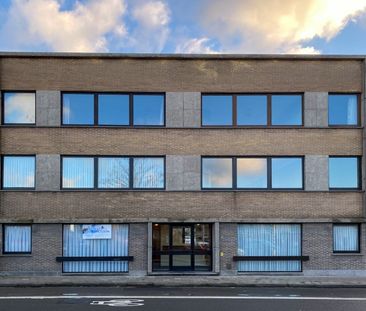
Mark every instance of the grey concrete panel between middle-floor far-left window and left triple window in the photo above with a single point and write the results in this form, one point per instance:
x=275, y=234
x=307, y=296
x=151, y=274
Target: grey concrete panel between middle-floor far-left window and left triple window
x=47, y=172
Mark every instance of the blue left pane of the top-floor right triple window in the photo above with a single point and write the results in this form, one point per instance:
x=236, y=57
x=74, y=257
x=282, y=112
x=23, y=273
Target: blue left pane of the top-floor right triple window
x=217, y=110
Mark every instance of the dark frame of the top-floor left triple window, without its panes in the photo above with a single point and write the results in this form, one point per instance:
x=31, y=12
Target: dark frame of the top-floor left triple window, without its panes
x=96, y=109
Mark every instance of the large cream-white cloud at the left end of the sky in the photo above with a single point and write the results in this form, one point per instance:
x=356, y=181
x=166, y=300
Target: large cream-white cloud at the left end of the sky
x=84, y=28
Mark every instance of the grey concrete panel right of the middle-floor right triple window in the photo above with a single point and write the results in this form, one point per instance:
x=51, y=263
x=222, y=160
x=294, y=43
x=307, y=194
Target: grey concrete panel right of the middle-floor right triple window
x=316, y=173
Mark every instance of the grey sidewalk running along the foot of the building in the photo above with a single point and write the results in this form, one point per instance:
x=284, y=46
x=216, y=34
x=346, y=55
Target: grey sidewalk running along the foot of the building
x=187, y=281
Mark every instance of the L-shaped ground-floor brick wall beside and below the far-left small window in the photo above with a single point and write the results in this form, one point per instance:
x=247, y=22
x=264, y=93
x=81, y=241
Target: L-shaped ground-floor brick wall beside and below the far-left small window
x=46, y=246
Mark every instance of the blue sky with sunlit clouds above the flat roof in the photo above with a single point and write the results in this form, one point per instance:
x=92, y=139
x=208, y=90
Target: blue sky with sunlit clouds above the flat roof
x=184, y=26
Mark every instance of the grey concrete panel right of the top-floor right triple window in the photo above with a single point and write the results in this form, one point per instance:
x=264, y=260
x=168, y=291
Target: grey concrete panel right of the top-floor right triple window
x=316, y=109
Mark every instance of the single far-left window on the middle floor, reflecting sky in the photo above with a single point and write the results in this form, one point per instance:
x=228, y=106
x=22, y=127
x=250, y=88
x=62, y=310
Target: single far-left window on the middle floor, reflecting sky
x=18, y=172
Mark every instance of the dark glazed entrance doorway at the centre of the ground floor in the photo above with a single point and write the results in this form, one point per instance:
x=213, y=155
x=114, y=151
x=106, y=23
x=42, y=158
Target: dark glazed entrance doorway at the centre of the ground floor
x=182, y=247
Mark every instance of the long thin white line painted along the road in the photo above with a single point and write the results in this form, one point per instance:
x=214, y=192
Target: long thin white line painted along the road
x=186, y=297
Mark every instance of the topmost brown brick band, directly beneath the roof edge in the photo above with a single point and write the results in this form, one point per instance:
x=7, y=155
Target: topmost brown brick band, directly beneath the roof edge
x=244, y=75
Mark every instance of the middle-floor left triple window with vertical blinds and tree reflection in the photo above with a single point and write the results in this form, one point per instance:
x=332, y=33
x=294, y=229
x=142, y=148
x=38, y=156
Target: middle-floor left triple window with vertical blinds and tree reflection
x=113, y=172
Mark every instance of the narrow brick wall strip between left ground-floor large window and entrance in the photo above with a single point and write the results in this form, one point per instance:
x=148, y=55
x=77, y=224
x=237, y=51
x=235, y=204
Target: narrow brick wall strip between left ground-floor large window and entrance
x=138, y=248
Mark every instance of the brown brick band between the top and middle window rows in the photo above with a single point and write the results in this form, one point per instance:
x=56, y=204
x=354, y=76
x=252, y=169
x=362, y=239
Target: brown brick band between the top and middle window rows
x=109, y=141
